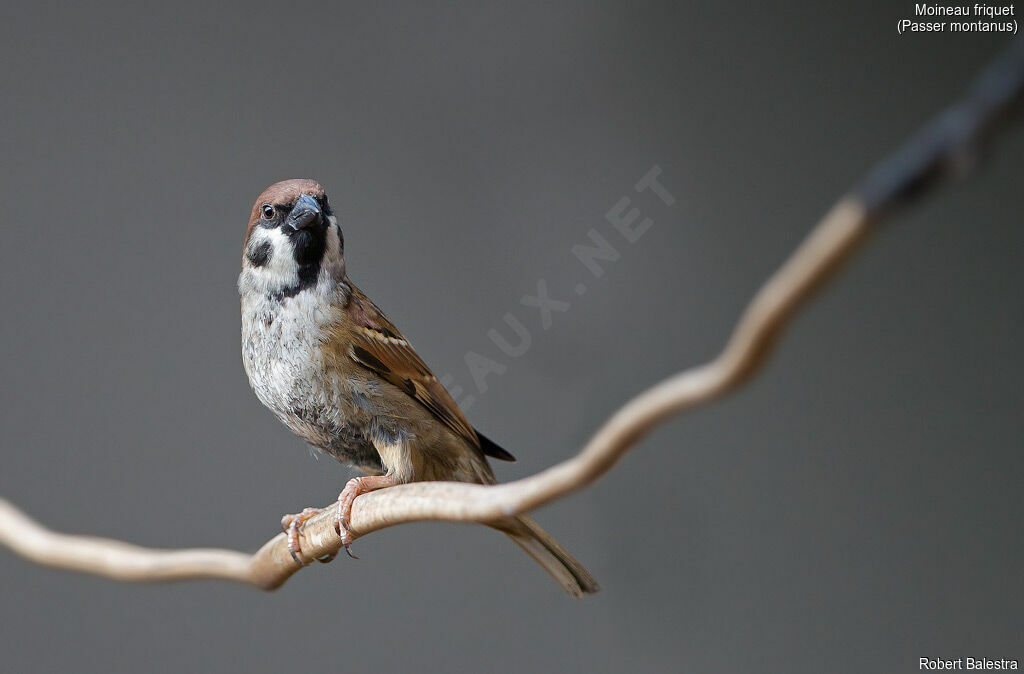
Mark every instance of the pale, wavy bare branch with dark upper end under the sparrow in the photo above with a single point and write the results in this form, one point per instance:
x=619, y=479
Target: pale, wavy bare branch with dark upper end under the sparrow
x=947, y=148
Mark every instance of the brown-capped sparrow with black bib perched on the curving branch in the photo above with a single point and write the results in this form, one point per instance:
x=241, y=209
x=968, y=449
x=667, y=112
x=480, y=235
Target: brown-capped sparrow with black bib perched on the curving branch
x=332, y=367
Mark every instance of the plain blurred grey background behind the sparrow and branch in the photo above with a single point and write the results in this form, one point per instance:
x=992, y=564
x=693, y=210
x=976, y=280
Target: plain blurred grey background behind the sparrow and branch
x=856, y=509
